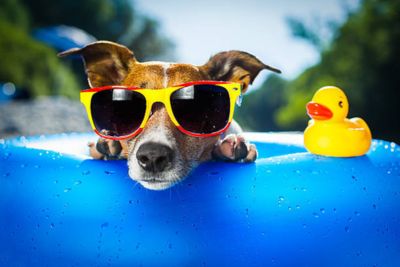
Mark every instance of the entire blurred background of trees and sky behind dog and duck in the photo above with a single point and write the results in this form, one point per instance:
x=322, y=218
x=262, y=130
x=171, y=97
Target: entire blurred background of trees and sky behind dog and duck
x=353, y=44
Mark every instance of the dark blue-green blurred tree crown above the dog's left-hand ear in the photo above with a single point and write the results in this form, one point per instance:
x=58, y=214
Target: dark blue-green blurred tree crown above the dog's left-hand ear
x=113, y=20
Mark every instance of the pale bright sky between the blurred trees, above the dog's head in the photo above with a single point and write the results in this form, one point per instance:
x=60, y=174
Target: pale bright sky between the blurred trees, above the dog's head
x=200, y=29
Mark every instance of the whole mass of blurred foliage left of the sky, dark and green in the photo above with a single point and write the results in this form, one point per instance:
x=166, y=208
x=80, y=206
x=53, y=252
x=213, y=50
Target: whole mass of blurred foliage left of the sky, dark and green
x=35, y=67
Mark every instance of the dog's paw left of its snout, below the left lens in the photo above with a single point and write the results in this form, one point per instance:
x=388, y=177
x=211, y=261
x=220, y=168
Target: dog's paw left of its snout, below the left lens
x=107, y=149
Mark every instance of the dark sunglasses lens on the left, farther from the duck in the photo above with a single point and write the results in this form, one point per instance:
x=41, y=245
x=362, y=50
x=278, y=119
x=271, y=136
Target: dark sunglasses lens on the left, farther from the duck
x=118, y=112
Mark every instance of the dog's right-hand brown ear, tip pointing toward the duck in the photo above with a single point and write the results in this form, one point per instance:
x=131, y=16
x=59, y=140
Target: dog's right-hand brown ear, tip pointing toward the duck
x=235, y=66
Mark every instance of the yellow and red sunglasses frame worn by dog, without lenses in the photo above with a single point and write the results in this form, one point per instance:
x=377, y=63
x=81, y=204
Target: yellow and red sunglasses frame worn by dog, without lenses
x=163, y=96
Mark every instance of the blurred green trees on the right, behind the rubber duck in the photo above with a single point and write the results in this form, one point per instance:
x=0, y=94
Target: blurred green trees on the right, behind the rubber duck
x=363, y=59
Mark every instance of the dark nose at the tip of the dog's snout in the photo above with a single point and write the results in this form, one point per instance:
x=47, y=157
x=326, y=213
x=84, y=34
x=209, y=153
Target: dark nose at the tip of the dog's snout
x=154, y=157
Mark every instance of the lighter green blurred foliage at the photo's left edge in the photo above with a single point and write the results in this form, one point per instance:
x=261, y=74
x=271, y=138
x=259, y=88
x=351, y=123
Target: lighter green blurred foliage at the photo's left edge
x=26, y=62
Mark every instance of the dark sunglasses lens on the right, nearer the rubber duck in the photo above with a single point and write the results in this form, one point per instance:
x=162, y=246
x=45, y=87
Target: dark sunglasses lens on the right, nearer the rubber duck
x=201, y=109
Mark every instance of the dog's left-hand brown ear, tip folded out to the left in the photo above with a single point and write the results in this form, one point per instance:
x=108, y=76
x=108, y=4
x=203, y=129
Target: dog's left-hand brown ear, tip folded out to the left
x=106, y=63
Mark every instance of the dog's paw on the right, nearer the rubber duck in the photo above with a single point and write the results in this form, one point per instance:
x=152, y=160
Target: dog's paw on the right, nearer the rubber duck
x=235, y=148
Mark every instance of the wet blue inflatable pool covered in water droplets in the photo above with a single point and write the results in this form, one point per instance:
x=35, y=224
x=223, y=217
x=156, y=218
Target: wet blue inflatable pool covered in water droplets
x=290, y=208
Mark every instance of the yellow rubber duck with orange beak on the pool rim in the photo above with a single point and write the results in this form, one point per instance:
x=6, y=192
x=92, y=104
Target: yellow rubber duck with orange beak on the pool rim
x=329, y=132
